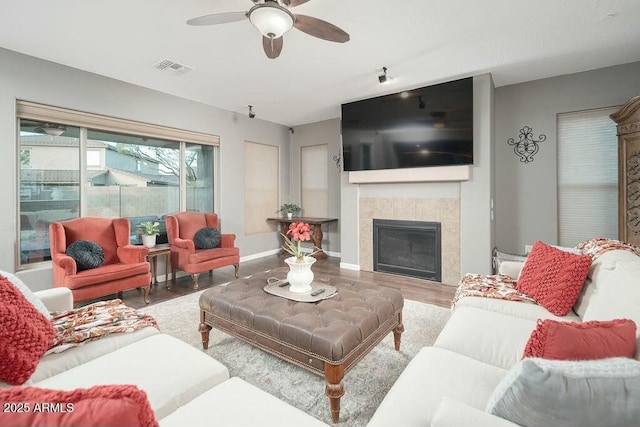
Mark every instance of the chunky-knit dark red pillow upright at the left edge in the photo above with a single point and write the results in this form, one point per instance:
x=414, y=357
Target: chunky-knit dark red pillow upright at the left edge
x=25, y=335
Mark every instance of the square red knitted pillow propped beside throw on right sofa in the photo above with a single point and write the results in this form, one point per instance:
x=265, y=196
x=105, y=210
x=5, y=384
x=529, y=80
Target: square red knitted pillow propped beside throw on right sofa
x=553, y=277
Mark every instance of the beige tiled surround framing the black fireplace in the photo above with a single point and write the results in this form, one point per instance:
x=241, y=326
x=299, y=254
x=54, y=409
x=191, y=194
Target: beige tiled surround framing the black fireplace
x=443, y=210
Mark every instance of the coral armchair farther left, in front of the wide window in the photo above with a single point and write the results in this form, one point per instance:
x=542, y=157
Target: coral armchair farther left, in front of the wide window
x=125, y=266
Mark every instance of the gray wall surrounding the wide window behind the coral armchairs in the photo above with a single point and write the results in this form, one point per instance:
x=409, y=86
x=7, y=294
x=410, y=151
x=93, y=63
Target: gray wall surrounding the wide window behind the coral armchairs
x=31, y=79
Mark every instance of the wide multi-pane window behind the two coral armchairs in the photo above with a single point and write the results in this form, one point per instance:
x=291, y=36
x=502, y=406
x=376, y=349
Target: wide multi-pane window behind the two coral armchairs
x=86, y=165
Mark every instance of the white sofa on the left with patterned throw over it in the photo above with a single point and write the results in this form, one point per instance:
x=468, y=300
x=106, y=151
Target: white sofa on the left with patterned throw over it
x=184, y=385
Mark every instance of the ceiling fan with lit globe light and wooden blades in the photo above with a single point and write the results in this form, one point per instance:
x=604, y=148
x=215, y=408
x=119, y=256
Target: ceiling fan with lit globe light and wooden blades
x=273, y=18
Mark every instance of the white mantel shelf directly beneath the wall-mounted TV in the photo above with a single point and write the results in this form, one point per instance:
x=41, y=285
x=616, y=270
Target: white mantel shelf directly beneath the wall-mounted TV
x=430, y=174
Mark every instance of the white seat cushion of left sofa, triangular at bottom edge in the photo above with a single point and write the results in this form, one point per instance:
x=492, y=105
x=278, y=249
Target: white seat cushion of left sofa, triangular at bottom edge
x=221, y=406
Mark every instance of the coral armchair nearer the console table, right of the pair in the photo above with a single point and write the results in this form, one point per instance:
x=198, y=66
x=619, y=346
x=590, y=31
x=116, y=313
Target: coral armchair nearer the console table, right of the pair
x=181, y=228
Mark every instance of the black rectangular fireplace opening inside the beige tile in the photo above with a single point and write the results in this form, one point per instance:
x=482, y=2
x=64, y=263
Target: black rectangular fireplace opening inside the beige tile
x=409, y=248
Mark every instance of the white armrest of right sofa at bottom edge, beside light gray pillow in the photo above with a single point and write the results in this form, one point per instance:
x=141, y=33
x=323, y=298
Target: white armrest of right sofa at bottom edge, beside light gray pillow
x=451, y=413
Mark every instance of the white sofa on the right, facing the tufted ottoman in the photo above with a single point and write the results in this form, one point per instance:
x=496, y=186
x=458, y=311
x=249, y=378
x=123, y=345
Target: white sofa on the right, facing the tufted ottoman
x=450, y=383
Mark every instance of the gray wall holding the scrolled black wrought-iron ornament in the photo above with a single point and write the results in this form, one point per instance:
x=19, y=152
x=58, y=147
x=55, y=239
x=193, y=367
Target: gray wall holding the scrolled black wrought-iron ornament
x=526, y=194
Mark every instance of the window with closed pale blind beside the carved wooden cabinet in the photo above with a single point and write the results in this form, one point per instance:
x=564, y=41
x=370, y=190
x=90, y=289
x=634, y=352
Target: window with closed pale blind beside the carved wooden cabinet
x=587, y=176
